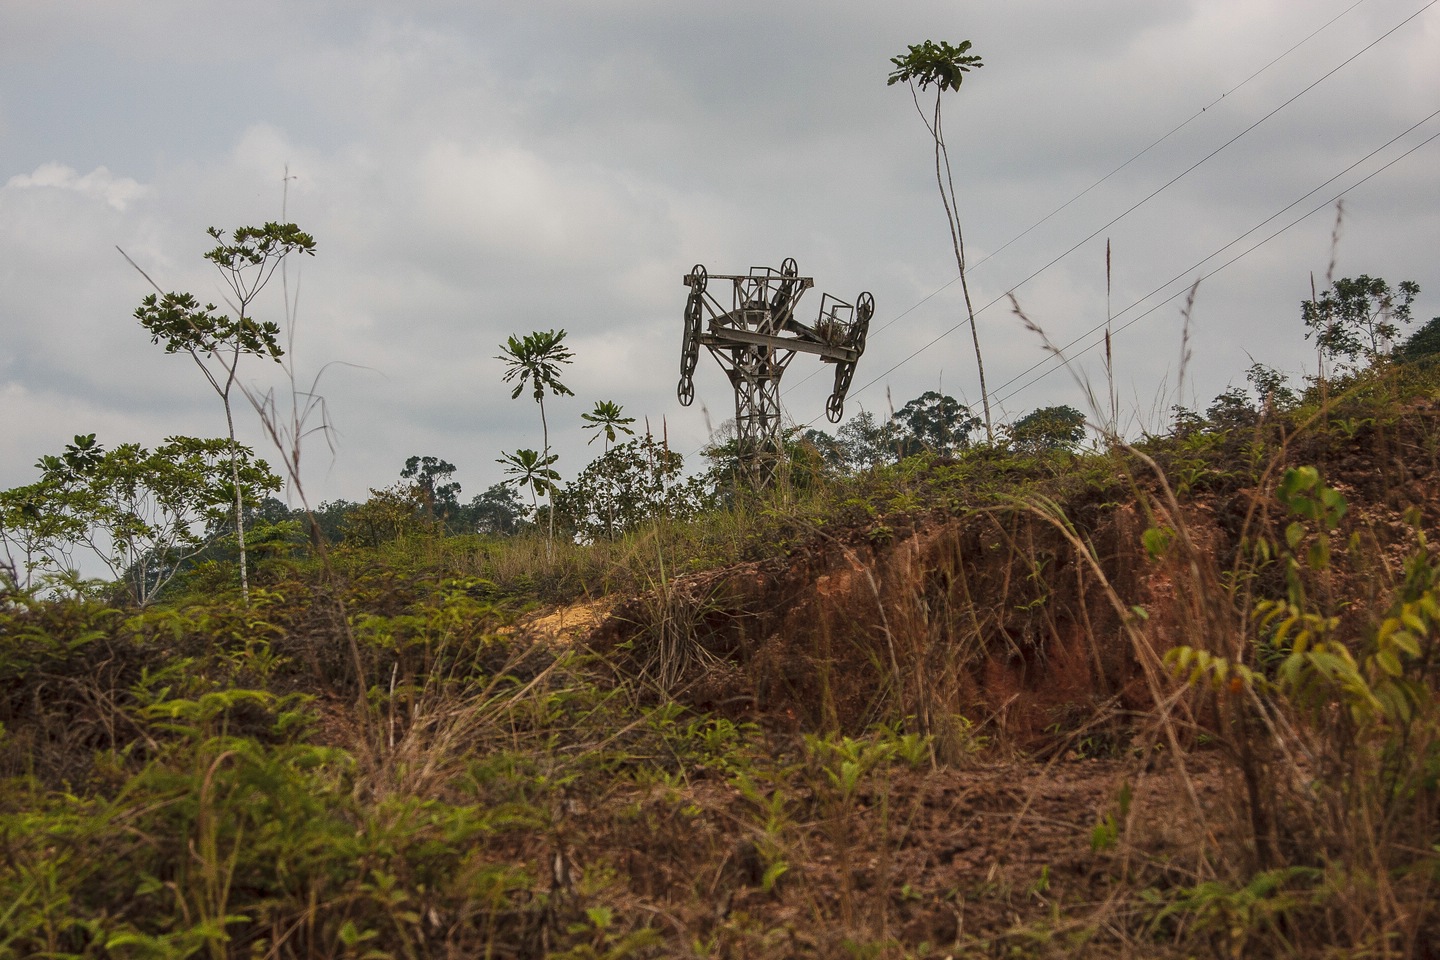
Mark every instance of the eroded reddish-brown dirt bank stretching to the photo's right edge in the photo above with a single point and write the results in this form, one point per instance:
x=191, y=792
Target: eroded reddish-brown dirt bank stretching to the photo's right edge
x=1023, y=615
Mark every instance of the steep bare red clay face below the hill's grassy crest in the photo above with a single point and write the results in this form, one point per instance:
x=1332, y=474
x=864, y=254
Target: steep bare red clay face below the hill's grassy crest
x=993, y=617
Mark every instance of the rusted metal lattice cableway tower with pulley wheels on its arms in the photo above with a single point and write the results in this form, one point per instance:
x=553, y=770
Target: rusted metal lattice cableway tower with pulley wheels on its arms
x=755, y=338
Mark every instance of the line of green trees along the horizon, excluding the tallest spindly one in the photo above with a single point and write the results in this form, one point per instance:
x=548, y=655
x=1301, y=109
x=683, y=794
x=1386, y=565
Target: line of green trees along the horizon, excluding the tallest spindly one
x=148, y=515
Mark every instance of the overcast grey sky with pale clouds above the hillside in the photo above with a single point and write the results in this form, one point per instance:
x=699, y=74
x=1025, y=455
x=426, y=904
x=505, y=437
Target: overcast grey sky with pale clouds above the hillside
x=473, y=171
